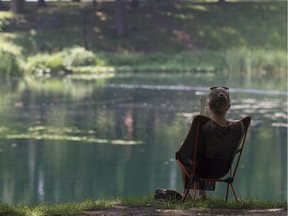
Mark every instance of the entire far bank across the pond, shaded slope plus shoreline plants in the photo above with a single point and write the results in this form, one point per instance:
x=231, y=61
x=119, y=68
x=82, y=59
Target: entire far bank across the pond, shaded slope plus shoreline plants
x=239, y=37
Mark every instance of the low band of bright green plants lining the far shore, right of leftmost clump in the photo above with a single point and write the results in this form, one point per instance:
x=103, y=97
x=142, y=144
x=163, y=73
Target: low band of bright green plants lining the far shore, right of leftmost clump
x=240, y=61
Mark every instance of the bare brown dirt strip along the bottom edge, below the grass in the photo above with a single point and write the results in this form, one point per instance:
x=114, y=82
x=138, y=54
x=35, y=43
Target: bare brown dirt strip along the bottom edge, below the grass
x=146, y=211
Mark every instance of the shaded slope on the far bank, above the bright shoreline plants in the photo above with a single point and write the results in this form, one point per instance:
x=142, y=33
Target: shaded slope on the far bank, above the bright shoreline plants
x=169, y=28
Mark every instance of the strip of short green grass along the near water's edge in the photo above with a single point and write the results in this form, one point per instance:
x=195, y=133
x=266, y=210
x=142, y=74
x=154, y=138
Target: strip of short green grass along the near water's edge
x=90, y=205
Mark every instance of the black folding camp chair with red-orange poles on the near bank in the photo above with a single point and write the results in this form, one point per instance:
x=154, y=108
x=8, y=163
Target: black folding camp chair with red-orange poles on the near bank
x=208, y=151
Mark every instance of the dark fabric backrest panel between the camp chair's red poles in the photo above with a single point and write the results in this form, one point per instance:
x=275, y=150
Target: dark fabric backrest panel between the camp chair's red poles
x=219, y=146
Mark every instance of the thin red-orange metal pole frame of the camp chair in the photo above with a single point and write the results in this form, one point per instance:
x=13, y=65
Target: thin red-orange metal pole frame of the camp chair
x=193, y=179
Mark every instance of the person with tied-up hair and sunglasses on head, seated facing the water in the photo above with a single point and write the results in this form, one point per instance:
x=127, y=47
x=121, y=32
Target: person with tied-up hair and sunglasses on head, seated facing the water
x=219, y=104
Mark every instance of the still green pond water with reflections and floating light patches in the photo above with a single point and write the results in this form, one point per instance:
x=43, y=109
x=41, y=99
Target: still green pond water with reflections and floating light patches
x=69, y=139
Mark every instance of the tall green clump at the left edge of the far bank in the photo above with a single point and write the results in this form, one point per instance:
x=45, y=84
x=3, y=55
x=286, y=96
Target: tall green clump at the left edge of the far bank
x=9, y=65
